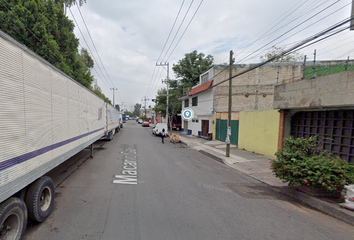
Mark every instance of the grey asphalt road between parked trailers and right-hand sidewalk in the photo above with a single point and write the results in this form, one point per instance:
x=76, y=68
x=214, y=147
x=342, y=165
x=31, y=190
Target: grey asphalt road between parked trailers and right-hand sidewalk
x=135, y=187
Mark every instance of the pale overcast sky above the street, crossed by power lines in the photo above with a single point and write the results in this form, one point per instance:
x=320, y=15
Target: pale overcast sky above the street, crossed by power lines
x=131, y=36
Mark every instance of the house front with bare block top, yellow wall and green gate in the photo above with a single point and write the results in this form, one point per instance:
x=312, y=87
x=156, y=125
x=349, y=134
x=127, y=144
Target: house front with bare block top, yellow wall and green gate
x=254, y=122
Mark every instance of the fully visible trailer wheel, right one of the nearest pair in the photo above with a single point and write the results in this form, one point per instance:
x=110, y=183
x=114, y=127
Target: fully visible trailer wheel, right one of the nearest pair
x=40, y=199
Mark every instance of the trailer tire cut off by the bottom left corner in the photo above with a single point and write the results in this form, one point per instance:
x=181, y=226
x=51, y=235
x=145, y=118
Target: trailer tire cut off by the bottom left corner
x=13, y=219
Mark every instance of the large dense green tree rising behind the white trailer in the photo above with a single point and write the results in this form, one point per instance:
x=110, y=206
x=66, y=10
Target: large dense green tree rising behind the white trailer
x=44, y=28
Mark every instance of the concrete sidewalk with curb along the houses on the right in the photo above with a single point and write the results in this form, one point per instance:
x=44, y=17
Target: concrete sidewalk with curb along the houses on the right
x=258, y=167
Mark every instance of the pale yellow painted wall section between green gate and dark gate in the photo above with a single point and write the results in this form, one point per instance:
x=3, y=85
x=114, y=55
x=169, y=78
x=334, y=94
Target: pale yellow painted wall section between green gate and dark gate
x=259, y=131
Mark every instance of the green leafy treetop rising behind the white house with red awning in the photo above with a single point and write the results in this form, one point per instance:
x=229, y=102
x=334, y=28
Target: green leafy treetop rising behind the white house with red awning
x=191, y=66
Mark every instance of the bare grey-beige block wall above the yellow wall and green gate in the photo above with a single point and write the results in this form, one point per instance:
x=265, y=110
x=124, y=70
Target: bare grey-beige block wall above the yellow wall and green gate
x=253, y=91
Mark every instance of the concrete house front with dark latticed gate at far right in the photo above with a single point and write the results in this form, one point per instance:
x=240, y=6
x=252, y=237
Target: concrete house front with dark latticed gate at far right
x=321, y=104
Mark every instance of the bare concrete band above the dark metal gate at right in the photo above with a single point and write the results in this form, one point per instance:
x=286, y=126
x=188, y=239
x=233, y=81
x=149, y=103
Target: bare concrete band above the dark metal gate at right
x=335, y=90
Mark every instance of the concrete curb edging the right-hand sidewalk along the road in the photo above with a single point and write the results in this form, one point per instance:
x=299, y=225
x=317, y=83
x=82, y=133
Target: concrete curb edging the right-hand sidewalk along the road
x=331, y=209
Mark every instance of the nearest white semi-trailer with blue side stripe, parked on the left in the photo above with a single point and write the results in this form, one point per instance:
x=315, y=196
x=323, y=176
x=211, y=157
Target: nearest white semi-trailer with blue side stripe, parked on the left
x=45, y=118
